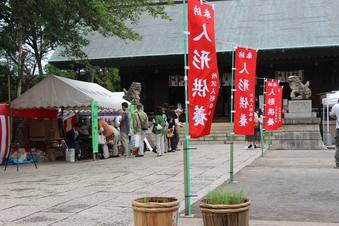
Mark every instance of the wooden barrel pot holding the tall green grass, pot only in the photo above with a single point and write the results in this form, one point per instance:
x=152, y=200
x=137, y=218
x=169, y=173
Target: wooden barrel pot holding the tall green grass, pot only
x=218, y=214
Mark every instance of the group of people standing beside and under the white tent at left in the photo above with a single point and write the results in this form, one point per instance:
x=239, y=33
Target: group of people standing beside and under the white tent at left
x=166, y=123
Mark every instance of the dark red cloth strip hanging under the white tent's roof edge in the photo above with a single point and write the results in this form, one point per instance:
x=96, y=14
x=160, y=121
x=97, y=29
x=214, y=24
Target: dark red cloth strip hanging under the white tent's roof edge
x=36, y=113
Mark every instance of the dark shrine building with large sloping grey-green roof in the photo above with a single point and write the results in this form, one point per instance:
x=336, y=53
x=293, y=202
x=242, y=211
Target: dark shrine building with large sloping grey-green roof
x=292, y=37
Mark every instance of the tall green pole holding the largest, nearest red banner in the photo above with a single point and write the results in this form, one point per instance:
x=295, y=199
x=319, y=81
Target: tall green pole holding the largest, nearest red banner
x=187, y=159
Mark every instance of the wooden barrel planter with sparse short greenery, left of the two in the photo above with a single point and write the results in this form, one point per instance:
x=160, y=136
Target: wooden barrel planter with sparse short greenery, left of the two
x=153, y=211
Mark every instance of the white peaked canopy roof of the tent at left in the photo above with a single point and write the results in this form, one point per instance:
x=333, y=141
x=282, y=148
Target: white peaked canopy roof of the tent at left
x=55, y=92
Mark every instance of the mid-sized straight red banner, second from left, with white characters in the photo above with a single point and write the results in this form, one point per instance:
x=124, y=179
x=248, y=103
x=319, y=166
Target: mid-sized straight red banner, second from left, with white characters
x=244, y=95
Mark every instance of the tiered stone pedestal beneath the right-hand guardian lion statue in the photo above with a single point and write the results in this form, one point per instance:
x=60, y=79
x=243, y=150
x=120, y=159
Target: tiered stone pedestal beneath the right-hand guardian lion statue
x=300, y=129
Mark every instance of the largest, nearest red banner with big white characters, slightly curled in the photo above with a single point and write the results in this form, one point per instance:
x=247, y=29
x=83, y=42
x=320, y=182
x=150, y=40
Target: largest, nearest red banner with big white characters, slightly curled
x=203, y=75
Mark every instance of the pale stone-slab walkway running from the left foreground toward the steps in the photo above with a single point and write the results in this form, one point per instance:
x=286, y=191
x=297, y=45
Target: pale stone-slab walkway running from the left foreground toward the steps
x=100, y=192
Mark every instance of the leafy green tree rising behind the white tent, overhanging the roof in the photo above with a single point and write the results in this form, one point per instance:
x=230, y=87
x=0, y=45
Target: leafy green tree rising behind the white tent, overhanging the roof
x=30, y=29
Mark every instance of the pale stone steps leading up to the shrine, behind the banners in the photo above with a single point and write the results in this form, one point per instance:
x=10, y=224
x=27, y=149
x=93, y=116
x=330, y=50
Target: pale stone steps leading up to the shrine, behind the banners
x=220, y=134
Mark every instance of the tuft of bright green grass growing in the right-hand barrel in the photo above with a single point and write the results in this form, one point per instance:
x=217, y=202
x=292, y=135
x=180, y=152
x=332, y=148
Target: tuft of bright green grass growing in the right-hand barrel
x=225, y=196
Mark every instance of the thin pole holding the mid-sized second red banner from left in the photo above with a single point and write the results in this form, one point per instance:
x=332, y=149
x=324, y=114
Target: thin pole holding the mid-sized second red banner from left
x=231, y=119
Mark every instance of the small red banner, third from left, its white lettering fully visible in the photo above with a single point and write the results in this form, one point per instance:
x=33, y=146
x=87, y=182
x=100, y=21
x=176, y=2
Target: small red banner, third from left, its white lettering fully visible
x=272, y=105
